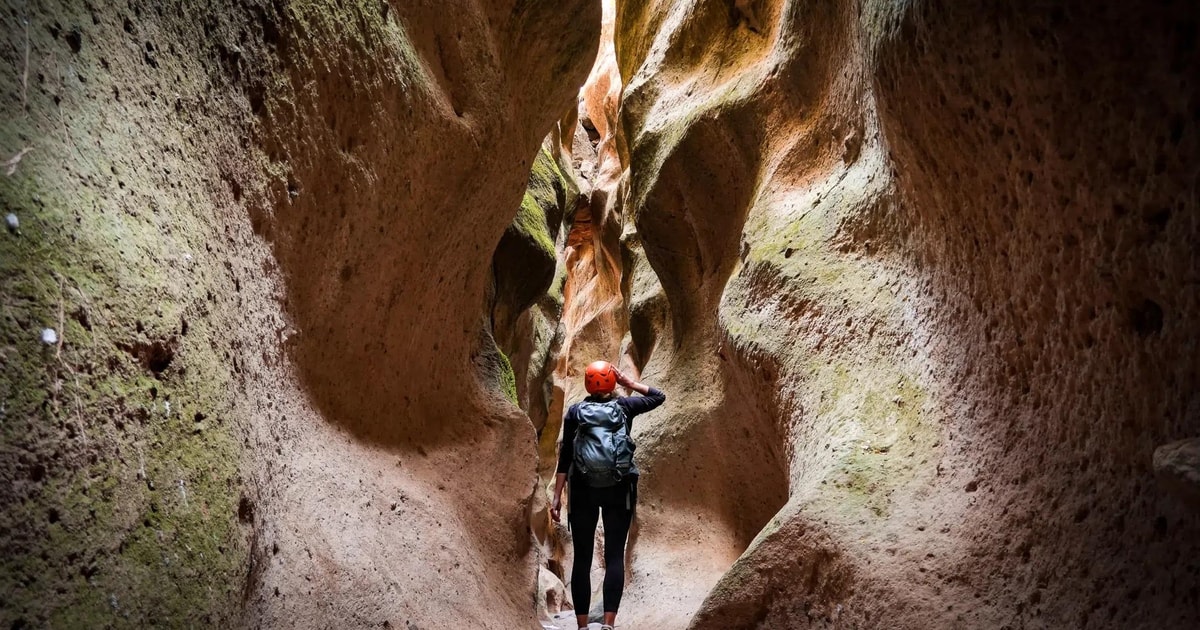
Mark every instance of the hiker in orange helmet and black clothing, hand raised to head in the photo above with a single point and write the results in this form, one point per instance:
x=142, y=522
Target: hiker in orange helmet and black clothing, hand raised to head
x=598, y=455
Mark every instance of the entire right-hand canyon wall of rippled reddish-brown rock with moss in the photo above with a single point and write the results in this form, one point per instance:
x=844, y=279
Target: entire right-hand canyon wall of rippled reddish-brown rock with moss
x=925, y=303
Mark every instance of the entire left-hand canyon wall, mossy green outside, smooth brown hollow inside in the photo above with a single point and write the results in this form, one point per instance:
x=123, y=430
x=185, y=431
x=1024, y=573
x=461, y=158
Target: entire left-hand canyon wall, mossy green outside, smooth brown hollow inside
x=263, y=236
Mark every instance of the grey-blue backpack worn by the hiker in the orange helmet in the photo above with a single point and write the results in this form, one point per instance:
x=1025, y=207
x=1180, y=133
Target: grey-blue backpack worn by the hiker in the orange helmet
x=604, y=452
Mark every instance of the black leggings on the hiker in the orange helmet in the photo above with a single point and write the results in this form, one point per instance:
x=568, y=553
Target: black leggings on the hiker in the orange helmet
x=616, y=505
